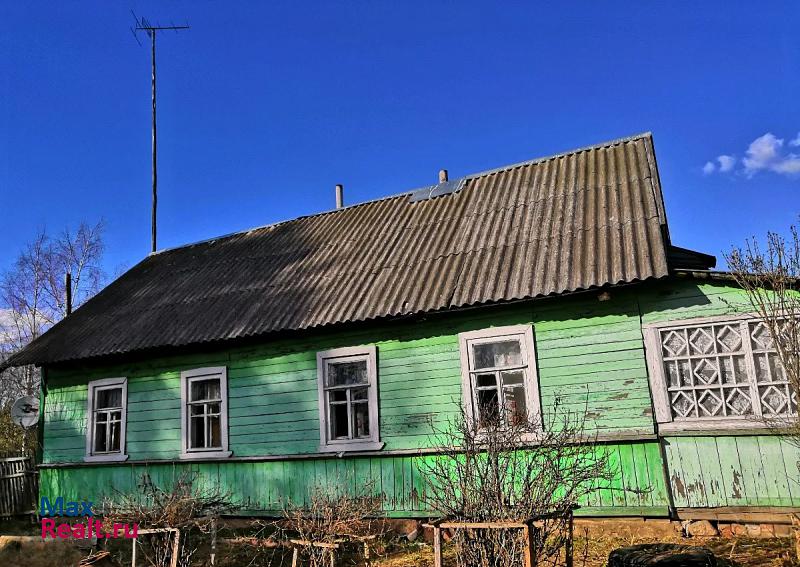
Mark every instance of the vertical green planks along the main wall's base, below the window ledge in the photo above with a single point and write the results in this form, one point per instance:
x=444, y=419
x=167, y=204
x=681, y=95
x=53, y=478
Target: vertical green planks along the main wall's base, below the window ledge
x=262, y=488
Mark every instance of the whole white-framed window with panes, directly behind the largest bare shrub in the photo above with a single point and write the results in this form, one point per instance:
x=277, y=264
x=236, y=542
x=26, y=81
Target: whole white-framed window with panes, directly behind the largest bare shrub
x=498, y=368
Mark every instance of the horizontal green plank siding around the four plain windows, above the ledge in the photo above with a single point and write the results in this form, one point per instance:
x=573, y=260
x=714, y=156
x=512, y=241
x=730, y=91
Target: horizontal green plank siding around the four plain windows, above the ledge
x=590, y=354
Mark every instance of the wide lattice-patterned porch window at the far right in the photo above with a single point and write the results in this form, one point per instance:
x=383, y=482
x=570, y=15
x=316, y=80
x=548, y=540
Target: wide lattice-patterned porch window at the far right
x=716, y=372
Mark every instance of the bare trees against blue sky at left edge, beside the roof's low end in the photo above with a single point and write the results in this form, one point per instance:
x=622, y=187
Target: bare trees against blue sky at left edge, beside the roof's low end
x=33, y=294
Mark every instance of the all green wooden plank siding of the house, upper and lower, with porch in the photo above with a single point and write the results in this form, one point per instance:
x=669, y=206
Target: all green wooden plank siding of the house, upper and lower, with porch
x=590, y=355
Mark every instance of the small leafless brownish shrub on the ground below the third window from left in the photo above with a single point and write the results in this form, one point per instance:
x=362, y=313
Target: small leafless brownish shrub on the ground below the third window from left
x=332, y=514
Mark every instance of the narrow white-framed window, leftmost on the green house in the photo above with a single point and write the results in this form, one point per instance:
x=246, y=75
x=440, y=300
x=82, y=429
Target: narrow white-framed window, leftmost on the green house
x=106, y=414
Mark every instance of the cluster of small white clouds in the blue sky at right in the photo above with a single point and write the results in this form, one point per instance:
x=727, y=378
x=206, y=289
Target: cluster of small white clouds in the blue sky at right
x=765, y=153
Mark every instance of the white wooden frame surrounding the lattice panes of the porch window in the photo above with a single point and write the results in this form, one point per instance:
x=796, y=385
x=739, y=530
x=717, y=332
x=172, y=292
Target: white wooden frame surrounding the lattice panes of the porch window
x=659, y=388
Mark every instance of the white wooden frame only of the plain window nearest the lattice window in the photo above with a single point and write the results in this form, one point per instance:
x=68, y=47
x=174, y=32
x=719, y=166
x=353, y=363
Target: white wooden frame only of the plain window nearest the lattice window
x=523, y=333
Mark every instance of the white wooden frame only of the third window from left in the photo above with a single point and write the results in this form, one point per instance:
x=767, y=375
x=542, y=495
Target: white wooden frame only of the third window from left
x=373, y=442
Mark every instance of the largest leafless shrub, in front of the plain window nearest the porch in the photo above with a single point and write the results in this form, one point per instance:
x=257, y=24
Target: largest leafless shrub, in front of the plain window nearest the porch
x=499, y=472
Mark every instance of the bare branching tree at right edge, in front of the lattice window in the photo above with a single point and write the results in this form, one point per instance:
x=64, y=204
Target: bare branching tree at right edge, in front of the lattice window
x=770, y=277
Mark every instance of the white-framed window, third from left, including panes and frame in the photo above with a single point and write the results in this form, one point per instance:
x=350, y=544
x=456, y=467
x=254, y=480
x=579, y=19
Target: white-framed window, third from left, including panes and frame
x=348, y=398
